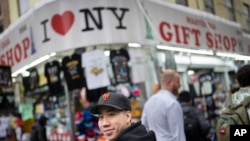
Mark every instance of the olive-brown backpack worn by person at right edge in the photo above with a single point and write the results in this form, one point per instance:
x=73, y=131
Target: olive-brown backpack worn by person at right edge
x=231, y=116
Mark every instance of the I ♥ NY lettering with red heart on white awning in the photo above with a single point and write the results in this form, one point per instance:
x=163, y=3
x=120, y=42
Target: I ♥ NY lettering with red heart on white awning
x=83, y=23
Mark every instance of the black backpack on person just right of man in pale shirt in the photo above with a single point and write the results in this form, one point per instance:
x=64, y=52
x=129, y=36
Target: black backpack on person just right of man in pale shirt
x=191, y=125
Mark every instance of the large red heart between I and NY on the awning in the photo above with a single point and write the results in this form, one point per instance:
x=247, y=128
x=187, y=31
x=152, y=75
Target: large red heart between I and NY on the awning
x=62, y=24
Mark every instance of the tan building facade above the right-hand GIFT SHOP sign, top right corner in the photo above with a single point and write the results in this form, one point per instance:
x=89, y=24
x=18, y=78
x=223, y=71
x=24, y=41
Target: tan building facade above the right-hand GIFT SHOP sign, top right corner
x=236, y=11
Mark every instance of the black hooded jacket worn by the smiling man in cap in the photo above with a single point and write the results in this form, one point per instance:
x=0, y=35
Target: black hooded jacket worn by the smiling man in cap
x=136, y=132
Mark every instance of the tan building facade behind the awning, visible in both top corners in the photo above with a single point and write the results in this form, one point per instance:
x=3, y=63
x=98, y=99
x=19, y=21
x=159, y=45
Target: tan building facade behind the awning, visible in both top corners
x=236, y=11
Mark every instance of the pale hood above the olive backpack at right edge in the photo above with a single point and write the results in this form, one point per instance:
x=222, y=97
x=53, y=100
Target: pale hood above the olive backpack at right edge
x=239, y=96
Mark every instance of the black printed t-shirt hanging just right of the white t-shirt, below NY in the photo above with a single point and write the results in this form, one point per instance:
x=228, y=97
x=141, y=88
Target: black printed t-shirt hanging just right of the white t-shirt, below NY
x=119, y=60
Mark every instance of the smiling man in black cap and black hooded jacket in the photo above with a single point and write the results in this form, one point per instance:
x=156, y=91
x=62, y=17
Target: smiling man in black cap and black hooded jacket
x=114, y=112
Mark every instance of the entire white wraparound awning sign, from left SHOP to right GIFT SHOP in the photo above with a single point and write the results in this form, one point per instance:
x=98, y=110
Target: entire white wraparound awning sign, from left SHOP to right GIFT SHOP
x=64, y=25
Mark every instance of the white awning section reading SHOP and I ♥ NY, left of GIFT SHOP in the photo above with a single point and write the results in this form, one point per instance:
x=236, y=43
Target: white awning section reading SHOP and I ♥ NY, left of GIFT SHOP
x=53, y=28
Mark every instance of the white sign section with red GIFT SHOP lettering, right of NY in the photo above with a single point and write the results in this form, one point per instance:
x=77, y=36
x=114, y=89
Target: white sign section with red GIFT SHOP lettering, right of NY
x=192, y=29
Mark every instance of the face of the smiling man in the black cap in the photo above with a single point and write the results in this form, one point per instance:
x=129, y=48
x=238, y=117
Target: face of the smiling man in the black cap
x=112, y=122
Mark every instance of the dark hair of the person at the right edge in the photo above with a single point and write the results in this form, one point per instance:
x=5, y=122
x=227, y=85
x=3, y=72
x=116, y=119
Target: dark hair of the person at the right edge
x=243, y=76
